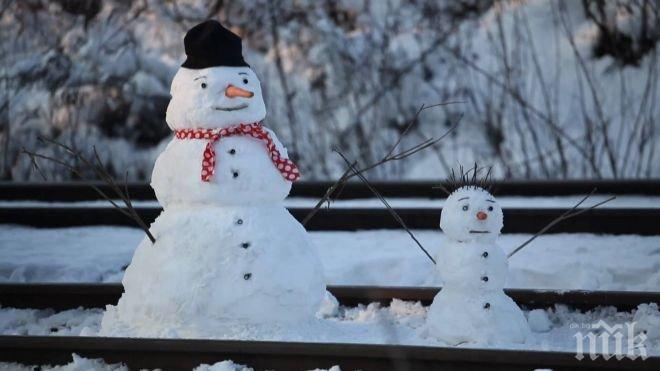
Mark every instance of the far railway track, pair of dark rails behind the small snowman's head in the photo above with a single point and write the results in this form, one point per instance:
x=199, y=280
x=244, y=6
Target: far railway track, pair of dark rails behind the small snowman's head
x=639, y=221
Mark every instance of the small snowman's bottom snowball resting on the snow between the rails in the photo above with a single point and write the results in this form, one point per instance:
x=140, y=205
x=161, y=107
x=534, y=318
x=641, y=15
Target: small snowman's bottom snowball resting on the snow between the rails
x=457, y=316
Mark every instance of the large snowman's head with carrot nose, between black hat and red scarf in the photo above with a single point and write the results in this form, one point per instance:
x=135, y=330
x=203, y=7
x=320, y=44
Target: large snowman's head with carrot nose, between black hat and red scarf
x=215, y=97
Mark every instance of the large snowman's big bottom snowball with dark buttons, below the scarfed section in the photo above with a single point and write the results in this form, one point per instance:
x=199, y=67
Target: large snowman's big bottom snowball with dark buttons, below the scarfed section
x=219, y=270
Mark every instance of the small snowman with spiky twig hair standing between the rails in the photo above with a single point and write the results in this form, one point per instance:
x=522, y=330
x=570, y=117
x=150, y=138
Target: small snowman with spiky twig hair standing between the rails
x=472, y=306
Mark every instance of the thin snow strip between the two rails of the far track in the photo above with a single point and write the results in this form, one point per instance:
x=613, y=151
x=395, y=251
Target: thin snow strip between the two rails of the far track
x=627, y=201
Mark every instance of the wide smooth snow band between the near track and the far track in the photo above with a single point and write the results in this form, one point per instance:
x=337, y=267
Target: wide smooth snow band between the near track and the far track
x=378, y=257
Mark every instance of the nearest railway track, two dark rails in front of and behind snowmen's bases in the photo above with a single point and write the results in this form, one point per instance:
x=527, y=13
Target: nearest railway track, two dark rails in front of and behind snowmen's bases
x=177, y=354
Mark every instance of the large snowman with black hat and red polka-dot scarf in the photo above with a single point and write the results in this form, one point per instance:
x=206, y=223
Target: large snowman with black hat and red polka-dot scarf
x=228, y=256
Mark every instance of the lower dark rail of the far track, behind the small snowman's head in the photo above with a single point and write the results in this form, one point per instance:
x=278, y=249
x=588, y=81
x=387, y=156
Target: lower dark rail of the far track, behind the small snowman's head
x=605, y=221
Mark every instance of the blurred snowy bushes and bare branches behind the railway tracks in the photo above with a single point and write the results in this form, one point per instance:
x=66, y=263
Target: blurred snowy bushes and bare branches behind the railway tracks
x=548, y=88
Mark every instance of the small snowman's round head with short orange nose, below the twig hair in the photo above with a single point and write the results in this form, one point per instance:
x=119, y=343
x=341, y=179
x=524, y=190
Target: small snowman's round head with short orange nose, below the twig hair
x=471, y=214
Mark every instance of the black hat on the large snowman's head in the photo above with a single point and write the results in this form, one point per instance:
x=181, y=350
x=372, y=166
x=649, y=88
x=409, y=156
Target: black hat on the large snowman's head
x=209, y=44
